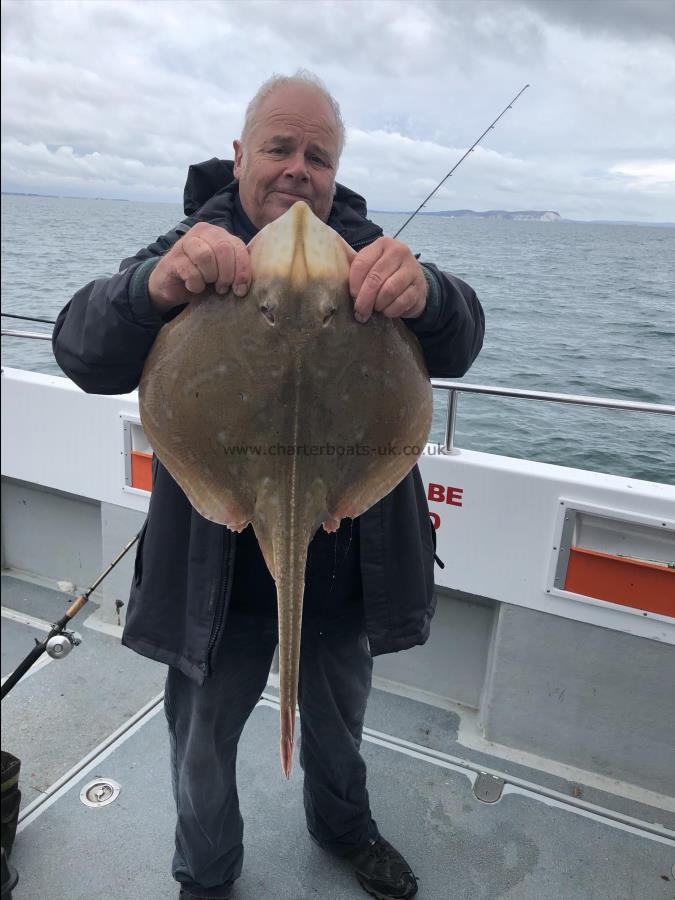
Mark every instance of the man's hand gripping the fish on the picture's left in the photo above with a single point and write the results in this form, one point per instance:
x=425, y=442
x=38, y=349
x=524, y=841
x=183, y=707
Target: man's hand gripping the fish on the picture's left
x=206, y=255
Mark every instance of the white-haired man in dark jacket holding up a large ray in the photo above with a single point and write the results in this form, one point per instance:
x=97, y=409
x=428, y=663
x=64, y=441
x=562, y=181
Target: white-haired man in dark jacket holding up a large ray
x=202, y=600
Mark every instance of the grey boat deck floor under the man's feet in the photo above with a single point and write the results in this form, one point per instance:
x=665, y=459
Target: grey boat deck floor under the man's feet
x=99, y=713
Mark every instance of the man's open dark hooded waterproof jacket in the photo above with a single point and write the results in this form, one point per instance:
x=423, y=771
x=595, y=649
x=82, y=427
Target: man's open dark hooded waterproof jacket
x=184, y=563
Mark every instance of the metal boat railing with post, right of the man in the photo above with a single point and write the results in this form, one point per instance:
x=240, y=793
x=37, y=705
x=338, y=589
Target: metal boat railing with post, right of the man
x=455, y=388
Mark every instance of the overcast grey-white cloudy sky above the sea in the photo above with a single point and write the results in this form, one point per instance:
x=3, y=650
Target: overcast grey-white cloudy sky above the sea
x=108, y=98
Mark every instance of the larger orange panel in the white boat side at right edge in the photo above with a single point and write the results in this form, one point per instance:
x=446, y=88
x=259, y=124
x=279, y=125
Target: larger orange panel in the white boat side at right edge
x=628, y=582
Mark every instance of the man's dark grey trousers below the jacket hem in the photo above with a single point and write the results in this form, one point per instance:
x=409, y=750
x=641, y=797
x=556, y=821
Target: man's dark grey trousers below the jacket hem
x=205, y=724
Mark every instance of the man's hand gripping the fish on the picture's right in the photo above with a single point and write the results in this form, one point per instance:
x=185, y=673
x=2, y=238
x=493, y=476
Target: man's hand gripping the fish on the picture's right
x=386, y=277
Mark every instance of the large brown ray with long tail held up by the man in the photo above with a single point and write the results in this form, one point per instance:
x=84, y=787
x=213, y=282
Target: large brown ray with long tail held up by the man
x=280, y=410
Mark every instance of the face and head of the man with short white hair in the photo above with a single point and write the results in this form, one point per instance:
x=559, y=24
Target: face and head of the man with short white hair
x=291, y=154
